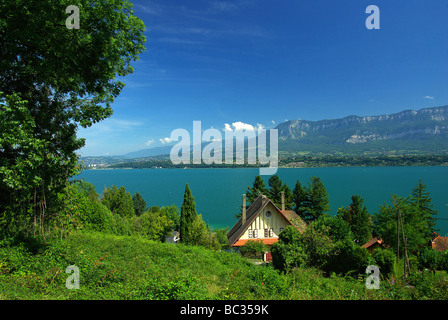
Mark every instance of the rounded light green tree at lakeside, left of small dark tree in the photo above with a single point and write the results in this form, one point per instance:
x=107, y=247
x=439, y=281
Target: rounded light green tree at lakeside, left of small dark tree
x=118, y=201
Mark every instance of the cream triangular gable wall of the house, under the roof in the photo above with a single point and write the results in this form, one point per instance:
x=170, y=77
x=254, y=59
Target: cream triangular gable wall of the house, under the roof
x=276, y=221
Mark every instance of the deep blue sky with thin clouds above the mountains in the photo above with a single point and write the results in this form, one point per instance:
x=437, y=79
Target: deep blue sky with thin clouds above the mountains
x=262, y=62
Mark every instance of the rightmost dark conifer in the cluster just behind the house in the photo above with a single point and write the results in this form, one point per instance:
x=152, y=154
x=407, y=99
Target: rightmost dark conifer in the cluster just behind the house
x=316, y=202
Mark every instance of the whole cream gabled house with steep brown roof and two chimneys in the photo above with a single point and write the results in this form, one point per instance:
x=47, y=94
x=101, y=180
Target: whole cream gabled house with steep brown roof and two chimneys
x=264, y=221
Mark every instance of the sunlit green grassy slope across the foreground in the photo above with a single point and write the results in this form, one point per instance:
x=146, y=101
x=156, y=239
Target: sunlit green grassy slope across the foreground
x=124, y=267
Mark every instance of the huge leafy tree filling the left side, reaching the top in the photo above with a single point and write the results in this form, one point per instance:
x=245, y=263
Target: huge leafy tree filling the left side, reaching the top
x=53, y=79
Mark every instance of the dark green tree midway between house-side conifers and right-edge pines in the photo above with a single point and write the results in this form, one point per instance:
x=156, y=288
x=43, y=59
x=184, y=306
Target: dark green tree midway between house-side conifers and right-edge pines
x=358, y=219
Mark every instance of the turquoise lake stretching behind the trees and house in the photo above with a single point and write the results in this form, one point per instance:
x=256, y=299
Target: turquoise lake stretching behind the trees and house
x=218, y=192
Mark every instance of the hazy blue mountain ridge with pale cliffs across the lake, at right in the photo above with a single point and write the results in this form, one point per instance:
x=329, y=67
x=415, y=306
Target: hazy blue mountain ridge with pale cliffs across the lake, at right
x=425, y=129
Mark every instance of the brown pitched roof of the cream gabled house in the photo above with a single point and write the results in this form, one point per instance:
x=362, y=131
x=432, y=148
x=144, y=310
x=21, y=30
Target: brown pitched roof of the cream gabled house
x=251, y=213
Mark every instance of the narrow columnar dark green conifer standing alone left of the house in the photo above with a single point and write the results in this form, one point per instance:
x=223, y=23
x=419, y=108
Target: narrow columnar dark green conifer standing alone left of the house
x=188, y=215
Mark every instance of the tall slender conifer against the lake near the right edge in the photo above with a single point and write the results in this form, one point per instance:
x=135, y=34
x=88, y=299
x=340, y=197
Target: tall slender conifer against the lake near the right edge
x=421, y=199
